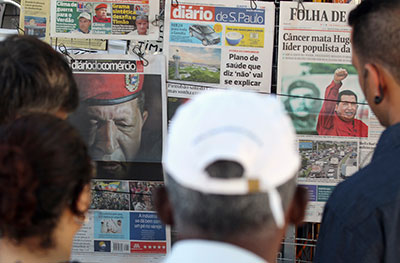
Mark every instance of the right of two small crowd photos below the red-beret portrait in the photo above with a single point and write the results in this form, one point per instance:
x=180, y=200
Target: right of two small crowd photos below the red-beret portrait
x=142, y=195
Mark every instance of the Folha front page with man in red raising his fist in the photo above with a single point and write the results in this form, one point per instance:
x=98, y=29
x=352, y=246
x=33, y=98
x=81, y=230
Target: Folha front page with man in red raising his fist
x=336, y=136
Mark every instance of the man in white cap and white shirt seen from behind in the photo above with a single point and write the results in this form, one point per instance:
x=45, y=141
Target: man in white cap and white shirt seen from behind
x=231, y=165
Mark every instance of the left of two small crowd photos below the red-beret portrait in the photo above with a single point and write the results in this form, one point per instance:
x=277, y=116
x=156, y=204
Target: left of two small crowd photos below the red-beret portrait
x=110, y=195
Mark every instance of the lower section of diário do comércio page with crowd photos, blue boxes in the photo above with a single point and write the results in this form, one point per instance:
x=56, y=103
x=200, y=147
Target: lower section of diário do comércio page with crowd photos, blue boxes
x=122, y=226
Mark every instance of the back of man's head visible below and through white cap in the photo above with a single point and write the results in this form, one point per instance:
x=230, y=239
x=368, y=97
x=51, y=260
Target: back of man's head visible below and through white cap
x=221, y=217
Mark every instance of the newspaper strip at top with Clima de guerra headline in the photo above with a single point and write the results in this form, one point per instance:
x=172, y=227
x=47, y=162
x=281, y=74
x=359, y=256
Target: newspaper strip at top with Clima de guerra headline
x=107, y=19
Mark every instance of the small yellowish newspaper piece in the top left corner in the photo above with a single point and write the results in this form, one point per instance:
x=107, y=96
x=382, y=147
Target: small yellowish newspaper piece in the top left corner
x=34, y=18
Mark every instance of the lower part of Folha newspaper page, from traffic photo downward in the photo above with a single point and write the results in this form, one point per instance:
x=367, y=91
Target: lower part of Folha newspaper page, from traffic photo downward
x=324, y=164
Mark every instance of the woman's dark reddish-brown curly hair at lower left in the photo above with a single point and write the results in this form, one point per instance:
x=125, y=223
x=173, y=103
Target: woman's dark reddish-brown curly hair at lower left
x=44, y=166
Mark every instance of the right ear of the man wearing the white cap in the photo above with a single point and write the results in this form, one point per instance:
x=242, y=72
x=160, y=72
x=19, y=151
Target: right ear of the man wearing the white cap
x=298, y=206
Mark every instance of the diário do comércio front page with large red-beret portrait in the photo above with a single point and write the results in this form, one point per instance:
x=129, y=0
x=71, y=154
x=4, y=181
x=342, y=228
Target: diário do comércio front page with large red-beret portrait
x=122, y=117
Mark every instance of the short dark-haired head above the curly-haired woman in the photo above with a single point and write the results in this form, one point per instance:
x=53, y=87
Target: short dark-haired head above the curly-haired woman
x=34, y=78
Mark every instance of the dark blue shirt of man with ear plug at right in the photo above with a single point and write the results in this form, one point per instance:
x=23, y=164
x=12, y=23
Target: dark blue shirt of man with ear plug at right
x=361, y=221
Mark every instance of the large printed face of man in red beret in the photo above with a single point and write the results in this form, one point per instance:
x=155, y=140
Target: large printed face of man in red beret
x=112, y=116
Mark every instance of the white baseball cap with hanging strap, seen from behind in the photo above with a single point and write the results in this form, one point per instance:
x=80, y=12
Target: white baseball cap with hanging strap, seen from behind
x=245, y=127
